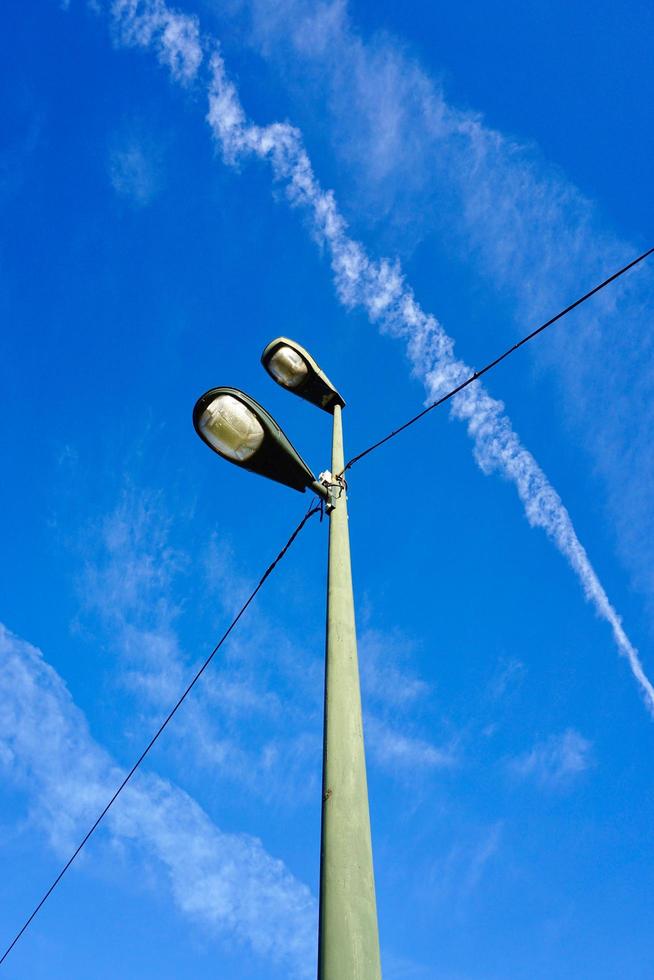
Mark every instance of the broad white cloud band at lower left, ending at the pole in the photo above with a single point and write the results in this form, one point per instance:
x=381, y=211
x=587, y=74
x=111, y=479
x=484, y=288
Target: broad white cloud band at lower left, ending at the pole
x=226, y=882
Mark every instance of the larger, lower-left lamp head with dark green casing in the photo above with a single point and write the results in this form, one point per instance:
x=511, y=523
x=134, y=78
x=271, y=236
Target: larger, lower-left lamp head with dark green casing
x=241, y=431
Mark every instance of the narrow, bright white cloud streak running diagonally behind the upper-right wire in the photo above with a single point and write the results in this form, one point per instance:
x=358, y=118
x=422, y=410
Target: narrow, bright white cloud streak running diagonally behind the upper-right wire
x=381, y=290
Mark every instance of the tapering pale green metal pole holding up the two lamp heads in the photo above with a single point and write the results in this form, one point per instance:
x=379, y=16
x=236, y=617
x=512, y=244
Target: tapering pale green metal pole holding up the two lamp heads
x=348, y=942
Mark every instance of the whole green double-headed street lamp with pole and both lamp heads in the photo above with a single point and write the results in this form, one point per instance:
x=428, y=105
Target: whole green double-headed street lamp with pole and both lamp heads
x=241, y=431
